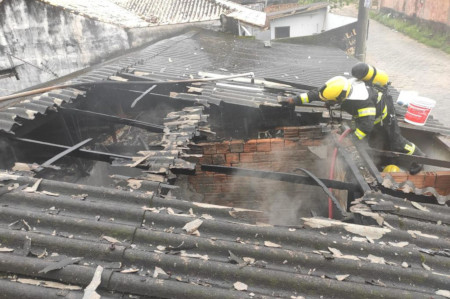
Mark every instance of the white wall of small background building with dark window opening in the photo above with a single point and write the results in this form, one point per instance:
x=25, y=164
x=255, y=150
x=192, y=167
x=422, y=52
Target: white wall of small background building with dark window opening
x=301, y=24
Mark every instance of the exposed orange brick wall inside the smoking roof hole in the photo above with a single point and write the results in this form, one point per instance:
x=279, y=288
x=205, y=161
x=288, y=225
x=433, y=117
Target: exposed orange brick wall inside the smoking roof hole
x=281, y=200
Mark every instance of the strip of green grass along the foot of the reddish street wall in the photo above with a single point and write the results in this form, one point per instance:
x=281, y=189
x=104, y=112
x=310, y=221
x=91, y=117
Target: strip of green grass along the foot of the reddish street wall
x=423, y=33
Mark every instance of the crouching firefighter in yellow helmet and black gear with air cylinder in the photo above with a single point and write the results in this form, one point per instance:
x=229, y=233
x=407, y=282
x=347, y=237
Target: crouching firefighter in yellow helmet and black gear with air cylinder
x=367, y=99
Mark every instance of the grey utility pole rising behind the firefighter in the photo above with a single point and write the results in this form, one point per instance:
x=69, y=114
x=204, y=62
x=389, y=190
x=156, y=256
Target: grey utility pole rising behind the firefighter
x=362, y=28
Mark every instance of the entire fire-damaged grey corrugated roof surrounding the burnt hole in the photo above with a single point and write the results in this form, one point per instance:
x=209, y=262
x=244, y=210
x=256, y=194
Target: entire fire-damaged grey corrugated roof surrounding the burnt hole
x=148, y=240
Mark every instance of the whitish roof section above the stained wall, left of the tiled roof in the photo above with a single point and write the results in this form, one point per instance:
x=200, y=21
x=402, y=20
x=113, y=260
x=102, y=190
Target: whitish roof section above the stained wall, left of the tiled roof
x=104, y=11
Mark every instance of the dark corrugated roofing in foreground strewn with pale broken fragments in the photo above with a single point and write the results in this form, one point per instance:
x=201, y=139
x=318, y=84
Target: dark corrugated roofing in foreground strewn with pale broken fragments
x=149, y=243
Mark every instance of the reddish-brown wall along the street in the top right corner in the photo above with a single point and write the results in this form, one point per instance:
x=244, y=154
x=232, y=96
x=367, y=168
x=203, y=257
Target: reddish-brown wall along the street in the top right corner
x=430, y=10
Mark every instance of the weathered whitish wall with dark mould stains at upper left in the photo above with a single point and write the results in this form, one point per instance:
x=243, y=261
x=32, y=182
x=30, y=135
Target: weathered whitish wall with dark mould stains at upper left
x=58, y=42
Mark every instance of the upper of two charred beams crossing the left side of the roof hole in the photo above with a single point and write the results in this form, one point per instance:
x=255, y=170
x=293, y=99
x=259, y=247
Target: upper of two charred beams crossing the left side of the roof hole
x=118, y=120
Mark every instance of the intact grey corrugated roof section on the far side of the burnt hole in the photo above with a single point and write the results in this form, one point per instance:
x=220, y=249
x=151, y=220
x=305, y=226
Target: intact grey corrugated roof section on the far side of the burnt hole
x=223, y=54
